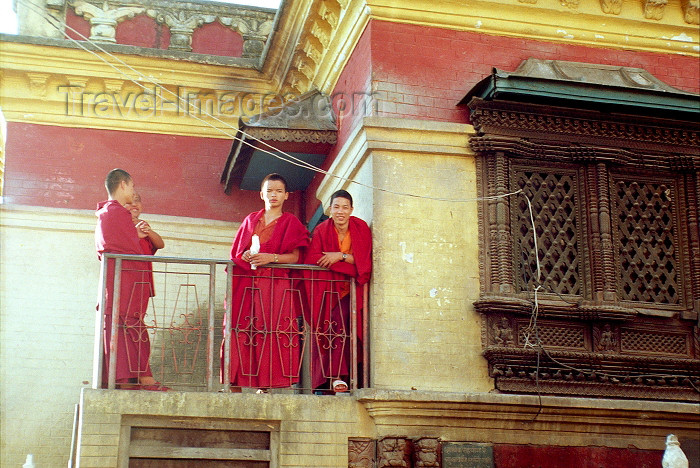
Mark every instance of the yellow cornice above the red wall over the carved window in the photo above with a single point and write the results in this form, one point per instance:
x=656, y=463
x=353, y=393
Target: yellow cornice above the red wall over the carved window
x=588, y=23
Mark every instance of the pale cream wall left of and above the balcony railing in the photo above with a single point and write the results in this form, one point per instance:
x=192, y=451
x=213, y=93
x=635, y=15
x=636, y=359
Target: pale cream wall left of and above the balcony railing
x=48, y=288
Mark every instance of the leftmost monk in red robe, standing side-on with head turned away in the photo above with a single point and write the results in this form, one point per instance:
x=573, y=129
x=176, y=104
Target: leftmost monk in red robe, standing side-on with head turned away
x=116, y=233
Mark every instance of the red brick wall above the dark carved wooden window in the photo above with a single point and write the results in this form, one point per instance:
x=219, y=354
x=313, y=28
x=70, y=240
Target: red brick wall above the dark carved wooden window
x=426, y=71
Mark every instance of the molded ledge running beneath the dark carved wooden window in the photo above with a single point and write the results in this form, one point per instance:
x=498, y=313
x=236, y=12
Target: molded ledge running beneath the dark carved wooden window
x=417, y=413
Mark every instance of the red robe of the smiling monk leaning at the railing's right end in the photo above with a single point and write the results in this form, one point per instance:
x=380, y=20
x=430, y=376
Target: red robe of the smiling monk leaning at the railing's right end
x=330, y=311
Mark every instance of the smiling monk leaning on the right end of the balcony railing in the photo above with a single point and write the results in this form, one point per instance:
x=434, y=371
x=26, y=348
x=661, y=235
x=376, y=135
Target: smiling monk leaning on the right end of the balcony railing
x=343, y=244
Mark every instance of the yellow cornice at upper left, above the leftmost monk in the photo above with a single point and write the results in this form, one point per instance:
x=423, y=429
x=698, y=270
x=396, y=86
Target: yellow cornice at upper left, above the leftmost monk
x=76, y=89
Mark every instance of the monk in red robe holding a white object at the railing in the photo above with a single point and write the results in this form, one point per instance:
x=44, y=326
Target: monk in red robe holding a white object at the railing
x=265, y=332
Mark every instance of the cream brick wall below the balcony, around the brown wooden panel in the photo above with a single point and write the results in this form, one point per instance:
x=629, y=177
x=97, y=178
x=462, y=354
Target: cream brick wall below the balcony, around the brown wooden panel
x=312, y=431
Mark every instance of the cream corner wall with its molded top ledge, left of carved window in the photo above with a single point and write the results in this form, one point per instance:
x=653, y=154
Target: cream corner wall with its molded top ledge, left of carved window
x=425, y=333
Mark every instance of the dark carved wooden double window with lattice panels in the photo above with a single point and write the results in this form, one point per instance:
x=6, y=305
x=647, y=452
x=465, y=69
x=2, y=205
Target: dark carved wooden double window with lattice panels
x=612, y=343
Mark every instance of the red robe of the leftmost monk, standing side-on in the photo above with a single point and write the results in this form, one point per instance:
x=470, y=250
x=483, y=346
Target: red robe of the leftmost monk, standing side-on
x=116, y=233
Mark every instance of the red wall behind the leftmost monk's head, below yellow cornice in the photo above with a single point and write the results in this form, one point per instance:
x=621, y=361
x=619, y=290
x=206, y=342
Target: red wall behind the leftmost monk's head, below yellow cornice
x=176, y=175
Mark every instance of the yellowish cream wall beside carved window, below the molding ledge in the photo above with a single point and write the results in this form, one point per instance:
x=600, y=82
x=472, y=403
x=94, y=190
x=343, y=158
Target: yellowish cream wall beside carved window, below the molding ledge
x=425, y=332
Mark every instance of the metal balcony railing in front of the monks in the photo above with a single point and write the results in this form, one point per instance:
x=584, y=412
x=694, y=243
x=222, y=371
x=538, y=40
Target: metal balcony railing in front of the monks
x=289, y=322
